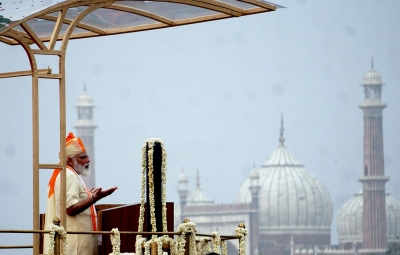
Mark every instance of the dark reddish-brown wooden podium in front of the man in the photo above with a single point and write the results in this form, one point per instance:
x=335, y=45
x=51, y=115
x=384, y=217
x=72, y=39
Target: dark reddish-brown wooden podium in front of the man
x=126, y=218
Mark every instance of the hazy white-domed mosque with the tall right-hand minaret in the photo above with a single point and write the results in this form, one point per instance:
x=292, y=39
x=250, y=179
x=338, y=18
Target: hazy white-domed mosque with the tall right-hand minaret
x=287, y=210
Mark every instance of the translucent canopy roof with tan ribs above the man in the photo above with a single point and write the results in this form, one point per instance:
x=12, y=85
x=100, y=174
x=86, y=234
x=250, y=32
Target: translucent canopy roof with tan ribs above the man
x=32, y=18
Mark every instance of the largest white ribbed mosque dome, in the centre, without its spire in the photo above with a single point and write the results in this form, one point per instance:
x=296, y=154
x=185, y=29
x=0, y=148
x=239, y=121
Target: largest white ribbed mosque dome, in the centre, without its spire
x=291, y=198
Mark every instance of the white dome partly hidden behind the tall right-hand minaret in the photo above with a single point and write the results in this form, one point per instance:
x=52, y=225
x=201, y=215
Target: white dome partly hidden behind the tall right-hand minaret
x=350, y=219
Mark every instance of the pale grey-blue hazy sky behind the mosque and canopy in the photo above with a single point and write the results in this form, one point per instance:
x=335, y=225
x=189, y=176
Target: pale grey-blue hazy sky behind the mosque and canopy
x=214, y=92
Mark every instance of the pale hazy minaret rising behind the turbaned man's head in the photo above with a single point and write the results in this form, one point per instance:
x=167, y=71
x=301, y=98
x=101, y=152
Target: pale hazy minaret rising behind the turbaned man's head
x=85, y=130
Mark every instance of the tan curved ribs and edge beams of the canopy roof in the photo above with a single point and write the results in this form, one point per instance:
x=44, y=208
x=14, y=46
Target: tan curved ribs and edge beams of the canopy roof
x=222, y=9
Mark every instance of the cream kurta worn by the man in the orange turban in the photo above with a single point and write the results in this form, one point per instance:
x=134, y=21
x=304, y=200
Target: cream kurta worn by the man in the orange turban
x=78, y=244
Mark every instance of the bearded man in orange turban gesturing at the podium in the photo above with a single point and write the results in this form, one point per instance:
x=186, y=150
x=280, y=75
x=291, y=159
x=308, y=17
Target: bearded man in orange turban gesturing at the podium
x=81, y=213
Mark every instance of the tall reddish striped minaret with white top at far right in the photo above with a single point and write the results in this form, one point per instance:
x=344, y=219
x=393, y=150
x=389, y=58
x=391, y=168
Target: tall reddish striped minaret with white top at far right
x=373, y=179
